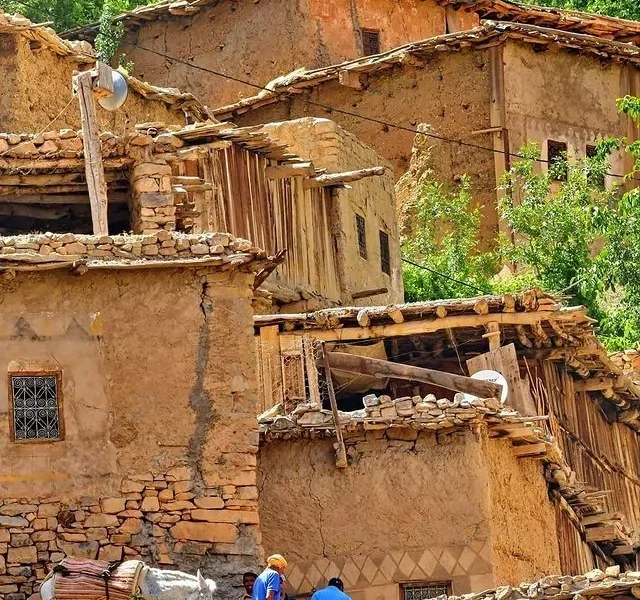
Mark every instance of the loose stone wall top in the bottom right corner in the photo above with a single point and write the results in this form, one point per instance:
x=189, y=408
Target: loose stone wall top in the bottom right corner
x=608, y=583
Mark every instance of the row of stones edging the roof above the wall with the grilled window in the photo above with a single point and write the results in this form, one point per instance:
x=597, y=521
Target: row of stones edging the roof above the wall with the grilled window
x=90, y=250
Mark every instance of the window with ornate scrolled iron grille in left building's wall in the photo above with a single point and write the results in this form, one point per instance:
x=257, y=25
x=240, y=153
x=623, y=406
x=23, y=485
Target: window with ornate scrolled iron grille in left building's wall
x=35, y=406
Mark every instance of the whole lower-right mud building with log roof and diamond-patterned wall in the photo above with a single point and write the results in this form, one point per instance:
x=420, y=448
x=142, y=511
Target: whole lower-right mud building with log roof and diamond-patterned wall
x=444, y=492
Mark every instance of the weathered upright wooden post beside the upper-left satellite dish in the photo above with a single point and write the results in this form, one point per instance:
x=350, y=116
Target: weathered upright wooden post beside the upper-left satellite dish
x=94, y=169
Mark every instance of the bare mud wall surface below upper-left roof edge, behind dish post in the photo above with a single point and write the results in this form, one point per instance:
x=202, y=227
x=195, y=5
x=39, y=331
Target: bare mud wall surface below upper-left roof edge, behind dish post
x=37, y=87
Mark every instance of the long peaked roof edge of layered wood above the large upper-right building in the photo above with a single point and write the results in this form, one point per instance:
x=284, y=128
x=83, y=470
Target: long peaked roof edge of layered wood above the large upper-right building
x=478, y=37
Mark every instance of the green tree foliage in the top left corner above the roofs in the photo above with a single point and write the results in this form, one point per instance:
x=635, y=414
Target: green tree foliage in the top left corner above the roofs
x=66, y=14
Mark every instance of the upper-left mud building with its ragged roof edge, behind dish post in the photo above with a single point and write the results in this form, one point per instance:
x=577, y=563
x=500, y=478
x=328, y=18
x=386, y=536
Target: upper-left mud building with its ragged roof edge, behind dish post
x=37, y=67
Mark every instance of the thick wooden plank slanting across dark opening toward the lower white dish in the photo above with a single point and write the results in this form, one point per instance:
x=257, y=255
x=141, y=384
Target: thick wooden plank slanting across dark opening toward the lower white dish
x=385, y=368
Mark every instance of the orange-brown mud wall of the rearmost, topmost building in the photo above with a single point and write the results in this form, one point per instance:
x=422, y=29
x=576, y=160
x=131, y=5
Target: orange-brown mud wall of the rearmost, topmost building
x=259, y=41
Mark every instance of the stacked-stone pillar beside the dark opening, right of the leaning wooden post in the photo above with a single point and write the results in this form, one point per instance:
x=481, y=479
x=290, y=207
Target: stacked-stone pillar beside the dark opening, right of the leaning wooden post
x=152, y=206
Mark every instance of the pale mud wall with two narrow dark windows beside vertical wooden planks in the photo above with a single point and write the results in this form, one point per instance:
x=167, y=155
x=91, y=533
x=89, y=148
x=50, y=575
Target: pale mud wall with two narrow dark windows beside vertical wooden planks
x=330, y=147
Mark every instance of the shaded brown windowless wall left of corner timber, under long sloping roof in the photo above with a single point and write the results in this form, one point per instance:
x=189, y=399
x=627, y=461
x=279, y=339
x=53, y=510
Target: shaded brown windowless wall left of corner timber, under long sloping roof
x=452, y=92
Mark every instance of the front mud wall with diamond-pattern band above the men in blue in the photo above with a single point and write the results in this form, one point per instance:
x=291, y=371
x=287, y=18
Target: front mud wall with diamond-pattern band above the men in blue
x=403, y=511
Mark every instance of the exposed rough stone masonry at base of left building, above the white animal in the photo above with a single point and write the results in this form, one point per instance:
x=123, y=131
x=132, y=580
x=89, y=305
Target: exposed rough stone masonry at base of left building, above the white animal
x=160, y=518
